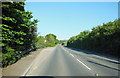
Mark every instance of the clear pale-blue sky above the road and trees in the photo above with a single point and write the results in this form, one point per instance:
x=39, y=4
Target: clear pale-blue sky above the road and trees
x=67, y=19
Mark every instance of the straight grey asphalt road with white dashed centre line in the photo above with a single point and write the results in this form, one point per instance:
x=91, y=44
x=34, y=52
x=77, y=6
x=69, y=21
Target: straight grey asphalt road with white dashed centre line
x=63, y=61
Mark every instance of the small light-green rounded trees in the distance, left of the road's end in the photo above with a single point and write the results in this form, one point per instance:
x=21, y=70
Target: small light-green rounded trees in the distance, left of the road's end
x=49, y=40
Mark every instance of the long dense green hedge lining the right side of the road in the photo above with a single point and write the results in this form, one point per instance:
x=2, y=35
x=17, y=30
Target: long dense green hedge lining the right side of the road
x=103, y=39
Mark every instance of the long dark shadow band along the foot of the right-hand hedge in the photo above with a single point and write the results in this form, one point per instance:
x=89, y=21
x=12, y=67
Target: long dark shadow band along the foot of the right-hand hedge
x=98, y=54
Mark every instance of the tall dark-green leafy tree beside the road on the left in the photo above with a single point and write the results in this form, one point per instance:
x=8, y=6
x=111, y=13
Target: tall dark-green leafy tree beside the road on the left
x=18, y=31
